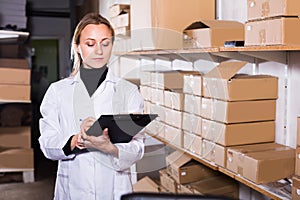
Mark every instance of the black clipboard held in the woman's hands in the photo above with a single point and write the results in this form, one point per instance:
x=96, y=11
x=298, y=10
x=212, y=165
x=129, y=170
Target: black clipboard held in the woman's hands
x=121, y=127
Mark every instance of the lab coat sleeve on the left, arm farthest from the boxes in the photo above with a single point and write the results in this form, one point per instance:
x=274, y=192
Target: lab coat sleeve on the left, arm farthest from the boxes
x=52, y=139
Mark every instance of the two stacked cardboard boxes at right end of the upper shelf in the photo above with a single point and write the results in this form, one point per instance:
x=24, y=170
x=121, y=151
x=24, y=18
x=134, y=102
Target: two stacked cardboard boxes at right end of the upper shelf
x=272, y=22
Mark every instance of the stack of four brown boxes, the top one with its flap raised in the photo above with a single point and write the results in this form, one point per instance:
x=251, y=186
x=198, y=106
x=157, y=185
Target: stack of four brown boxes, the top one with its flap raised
x=236, y=110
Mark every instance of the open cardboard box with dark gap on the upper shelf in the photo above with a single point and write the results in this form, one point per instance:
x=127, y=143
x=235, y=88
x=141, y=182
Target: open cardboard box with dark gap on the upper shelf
x=214, y=33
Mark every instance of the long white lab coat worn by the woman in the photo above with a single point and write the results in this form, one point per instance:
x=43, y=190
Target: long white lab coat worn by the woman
x=92, y=175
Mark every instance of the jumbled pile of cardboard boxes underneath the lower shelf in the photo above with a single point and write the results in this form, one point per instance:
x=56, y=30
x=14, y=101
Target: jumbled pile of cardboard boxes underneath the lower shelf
x=184, y=175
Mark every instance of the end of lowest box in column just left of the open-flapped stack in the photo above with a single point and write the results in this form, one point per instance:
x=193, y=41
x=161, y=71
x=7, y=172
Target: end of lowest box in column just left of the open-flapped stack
x=192, y=143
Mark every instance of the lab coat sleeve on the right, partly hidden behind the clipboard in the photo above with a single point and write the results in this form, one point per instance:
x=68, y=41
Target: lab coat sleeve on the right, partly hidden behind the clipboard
x=131, y=152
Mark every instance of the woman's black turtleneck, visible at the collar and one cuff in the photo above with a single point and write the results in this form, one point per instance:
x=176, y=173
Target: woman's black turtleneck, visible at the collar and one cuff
x=91, y=78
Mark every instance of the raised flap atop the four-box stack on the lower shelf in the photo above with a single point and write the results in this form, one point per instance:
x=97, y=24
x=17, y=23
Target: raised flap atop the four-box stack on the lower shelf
x=225, y=70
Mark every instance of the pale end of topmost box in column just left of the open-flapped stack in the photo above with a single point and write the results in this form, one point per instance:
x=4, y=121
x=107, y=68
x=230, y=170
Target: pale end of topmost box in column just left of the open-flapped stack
x=192, y=84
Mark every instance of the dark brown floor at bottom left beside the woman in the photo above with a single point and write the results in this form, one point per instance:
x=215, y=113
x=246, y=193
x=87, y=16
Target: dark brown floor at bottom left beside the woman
x=12, y=187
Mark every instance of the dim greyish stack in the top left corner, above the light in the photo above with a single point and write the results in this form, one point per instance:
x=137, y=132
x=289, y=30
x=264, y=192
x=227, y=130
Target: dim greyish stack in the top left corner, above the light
x=13, y=14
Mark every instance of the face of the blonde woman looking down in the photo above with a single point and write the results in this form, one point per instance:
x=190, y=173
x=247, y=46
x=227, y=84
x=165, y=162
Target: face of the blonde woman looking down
x=95, y=45
